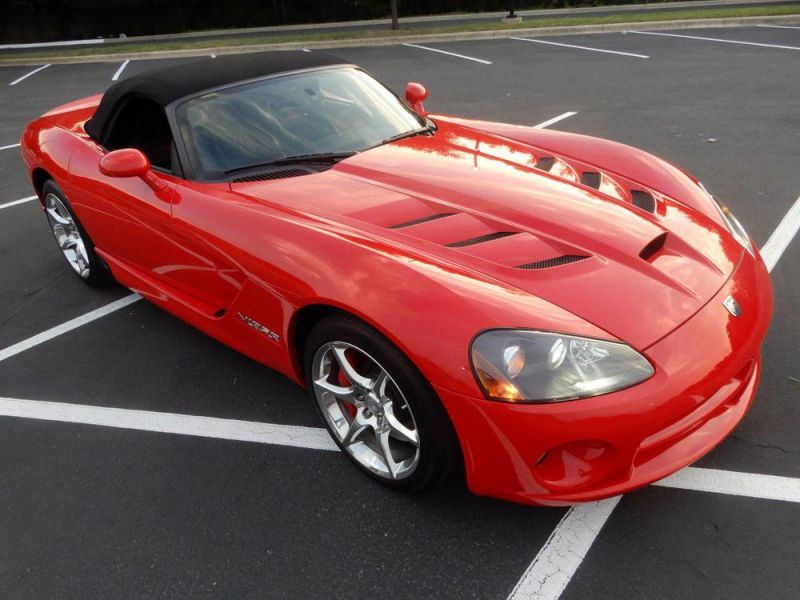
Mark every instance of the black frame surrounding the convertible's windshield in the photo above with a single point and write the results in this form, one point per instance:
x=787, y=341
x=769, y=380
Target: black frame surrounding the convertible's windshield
x=194, y=172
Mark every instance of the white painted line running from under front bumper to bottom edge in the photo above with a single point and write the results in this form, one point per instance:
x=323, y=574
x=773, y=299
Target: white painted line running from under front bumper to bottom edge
x=564, y=551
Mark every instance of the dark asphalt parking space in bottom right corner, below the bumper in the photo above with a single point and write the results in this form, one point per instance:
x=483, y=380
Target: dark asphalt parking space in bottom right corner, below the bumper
x=666, y=544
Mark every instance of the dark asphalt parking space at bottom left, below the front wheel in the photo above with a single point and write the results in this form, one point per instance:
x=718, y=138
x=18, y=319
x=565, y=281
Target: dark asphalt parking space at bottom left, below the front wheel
x=109, y=513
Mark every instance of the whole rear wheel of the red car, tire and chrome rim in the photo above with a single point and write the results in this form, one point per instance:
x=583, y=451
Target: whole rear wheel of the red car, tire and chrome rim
x=71, y=237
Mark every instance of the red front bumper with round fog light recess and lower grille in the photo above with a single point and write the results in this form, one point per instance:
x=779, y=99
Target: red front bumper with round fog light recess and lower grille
x=707, y=372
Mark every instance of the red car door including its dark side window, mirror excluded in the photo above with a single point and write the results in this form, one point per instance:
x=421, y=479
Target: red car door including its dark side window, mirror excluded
x=131, y=219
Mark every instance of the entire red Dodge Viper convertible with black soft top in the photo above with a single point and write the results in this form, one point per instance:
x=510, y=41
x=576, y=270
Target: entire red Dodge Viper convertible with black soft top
x=556, y=317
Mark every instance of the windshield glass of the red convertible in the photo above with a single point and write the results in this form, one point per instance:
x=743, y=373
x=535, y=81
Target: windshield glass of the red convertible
x=328, y=111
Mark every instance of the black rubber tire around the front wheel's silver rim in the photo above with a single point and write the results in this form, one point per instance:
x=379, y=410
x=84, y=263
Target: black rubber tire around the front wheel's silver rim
x=439, y=451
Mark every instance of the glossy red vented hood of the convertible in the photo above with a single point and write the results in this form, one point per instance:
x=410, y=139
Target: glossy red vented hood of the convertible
x=618, y=254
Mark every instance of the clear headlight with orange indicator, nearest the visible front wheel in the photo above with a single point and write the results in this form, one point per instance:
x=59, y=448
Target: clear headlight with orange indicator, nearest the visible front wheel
x=537, y=366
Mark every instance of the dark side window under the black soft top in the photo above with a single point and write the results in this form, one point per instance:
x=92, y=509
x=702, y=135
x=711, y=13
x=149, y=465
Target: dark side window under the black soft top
x=142, y=124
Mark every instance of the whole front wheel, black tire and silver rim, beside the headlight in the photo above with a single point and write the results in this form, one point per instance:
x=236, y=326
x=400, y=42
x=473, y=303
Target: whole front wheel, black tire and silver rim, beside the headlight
x=379, y=409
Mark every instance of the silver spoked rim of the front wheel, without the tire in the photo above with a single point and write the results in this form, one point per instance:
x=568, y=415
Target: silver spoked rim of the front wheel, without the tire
x=366, y=410
